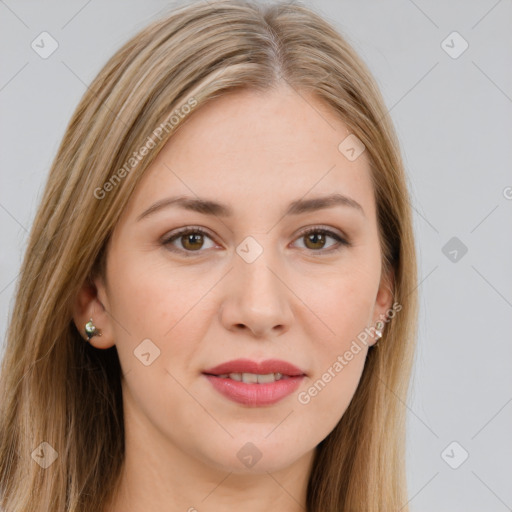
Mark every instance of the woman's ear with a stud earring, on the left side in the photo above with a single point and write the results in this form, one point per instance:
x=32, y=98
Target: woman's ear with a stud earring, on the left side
x=92, y=302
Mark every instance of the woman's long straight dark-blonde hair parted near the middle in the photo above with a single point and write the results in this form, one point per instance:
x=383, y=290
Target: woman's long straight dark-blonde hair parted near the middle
x=55, y=388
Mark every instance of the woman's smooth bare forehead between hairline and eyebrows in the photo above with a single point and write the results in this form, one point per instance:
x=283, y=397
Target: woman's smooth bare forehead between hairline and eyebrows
x=251, y=148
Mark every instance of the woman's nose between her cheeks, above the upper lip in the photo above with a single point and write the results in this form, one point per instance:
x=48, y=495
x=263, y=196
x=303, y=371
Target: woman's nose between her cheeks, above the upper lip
x=257, y=298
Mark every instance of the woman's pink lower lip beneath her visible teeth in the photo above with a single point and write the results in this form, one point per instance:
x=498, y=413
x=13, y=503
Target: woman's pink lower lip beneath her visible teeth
x=255, y=394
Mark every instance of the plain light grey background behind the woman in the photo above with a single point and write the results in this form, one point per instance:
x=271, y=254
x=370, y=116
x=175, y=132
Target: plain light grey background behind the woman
x=453, y=118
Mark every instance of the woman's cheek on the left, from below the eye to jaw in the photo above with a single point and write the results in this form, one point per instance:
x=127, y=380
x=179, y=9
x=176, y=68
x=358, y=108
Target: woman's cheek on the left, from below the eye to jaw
x=159, y=318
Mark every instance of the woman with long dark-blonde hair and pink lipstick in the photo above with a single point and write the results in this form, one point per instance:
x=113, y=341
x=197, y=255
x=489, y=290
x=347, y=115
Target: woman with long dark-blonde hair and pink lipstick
x=218, y=304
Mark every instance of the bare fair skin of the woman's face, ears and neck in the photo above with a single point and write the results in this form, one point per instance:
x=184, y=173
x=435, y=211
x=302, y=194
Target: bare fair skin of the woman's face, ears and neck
x=300, y=301
